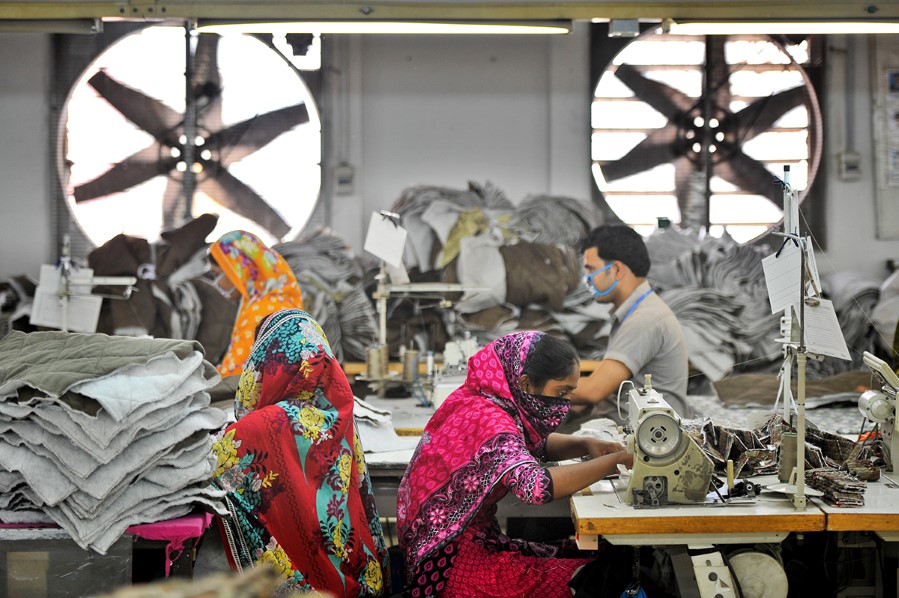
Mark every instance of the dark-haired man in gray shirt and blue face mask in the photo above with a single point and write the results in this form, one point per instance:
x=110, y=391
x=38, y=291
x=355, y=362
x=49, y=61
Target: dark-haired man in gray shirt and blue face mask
x=646, y=337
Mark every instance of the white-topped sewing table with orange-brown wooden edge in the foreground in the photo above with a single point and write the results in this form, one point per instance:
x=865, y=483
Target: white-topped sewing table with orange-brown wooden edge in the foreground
x=601, y=511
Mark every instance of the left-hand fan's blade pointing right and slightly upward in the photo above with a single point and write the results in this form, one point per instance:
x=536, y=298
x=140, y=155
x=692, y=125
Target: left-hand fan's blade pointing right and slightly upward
x=243, y=138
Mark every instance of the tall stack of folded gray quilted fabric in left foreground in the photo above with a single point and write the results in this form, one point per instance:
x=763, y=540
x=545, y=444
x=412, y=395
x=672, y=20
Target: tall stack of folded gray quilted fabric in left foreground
x=98, y=433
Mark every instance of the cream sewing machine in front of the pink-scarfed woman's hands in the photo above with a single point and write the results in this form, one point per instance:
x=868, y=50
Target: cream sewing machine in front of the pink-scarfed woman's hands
x=669, y=466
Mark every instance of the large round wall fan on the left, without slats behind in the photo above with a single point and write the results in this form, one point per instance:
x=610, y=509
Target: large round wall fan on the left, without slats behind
x=166, y=125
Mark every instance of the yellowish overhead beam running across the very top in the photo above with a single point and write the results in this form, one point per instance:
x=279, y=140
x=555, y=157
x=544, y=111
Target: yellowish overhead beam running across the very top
x=448, y=9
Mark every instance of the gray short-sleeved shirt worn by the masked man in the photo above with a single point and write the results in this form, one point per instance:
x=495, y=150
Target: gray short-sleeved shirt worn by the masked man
x=649, y=340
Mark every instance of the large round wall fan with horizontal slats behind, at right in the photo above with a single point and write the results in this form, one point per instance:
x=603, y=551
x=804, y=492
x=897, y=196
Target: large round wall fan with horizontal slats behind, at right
x=698, y=129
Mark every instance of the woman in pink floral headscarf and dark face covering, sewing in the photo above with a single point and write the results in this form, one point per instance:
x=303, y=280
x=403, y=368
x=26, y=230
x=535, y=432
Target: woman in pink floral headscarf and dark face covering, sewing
x=488, y=438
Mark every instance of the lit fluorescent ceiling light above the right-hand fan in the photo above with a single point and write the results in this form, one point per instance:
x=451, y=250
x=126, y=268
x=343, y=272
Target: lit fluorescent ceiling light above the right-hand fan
x=778, y=27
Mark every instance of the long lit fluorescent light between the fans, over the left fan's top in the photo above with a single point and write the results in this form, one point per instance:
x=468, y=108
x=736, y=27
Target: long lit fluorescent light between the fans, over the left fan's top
x=392, y=27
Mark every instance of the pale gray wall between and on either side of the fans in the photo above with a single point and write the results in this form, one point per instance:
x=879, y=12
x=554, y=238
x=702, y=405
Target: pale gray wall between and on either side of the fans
x=441, y=111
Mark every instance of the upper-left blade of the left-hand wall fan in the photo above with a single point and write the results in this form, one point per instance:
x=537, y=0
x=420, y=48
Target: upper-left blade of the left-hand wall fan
x=148, y=113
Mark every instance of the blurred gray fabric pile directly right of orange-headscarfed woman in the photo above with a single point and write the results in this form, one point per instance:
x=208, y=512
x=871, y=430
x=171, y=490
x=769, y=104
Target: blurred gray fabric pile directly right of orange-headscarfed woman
x=332, y=279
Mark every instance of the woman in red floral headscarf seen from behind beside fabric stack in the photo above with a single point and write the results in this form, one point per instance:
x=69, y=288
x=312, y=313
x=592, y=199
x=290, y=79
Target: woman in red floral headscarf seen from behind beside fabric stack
x=297, y=487
